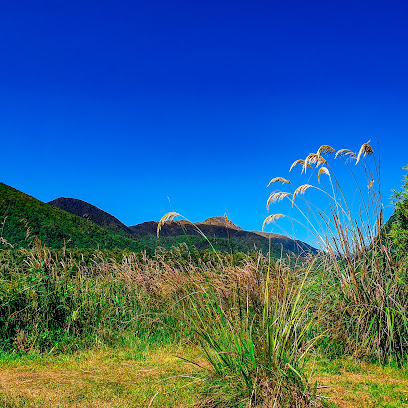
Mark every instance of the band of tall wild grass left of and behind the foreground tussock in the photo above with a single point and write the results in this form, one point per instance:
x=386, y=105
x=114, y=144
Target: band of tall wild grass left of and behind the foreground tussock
x=60, y=301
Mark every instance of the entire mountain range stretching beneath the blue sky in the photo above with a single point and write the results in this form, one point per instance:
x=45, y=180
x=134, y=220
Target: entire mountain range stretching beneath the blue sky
x=77, y=224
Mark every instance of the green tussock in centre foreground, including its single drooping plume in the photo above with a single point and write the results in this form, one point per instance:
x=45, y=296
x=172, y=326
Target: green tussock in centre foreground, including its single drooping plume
x=254, y=324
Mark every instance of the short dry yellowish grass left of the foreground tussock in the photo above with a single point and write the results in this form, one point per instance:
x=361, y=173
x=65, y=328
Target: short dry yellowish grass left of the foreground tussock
x=102, y=379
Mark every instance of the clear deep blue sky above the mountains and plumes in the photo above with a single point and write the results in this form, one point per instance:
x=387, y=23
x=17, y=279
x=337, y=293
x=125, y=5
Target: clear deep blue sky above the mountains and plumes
x=143, y=107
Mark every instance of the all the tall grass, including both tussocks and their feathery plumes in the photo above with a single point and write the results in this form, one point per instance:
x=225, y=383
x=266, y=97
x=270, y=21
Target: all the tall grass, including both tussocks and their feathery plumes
x=257, y=321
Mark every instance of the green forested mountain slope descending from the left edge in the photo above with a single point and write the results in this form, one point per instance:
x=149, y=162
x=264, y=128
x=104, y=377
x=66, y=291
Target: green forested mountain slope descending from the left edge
x=23, y=216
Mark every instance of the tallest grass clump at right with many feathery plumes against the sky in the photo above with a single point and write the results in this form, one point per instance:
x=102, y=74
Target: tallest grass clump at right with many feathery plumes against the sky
x=363, y=280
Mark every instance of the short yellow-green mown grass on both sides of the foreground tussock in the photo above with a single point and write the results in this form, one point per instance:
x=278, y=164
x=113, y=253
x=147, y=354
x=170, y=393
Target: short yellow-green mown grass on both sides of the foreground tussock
x=159, y=378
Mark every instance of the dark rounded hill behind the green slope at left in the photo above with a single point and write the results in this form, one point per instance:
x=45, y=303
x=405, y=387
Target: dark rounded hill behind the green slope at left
x=91, y=213
